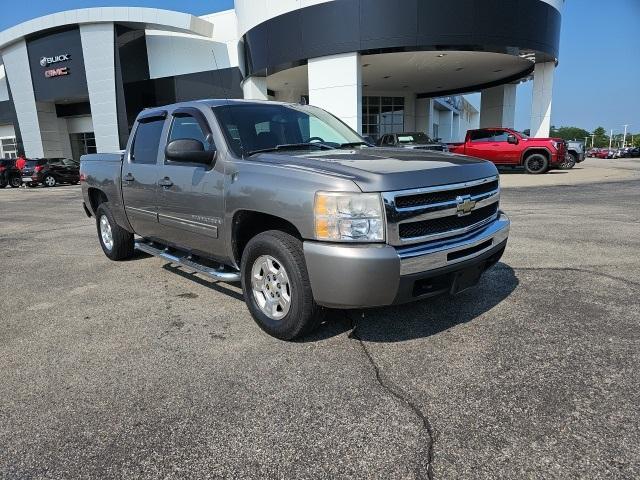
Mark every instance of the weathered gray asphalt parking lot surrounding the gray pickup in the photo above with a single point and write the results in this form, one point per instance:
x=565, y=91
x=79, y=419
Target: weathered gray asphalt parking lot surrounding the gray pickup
x=138, y=370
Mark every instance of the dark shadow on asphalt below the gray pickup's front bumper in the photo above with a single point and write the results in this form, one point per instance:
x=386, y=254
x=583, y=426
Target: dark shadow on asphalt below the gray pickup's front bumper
x=423, y=318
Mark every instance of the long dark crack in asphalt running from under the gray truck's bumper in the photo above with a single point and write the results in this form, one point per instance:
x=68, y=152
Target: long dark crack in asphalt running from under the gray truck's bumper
x=423, y=470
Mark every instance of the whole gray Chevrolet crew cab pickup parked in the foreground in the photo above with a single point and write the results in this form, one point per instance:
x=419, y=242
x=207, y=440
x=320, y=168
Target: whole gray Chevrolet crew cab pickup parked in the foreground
x=296, y=206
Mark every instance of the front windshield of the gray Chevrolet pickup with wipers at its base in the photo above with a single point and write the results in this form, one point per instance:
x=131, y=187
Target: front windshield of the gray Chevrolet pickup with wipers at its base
x=253, y=128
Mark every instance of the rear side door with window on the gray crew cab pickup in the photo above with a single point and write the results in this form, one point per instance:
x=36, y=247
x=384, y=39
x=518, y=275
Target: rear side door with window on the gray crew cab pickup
x=140, y=172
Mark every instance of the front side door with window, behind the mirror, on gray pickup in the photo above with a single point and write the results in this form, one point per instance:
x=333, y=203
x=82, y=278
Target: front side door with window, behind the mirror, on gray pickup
x=190, y=194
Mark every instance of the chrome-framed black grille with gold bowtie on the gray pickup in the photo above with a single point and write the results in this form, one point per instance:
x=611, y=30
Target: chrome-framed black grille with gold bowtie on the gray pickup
x=441, y=212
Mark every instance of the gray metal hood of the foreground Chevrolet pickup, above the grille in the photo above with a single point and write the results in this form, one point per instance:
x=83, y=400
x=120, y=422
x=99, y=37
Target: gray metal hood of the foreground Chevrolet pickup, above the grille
x=386, y=169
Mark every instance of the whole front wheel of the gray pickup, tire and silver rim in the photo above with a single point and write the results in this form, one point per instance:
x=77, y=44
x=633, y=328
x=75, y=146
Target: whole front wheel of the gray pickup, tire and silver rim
x=276, y=286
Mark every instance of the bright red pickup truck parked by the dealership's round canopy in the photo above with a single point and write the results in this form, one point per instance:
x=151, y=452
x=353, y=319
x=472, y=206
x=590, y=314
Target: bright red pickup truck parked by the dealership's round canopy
x=504, y=146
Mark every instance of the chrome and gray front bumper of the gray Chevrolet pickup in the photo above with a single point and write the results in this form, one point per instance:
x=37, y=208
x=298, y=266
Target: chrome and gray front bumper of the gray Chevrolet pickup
x=359, y=276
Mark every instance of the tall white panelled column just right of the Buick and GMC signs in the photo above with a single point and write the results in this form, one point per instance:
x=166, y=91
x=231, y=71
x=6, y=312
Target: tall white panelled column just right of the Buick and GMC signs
x=98, y=49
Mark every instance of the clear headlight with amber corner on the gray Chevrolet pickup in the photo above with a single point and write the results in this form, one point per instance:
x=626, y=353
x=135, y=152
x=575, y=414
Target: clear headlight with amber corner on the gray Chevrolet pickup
x=349, y=217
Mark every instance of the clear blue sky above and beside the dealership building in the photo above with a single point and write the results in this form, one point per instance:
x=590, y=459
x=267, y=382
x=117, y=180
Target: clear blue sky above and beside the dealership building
x=597, y=81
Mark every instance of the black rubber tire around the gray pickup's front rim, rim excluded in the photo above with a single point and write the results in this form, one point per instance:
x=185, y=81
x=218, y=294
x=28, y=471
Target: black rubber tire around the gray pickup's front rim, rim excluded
x=304, y=314
